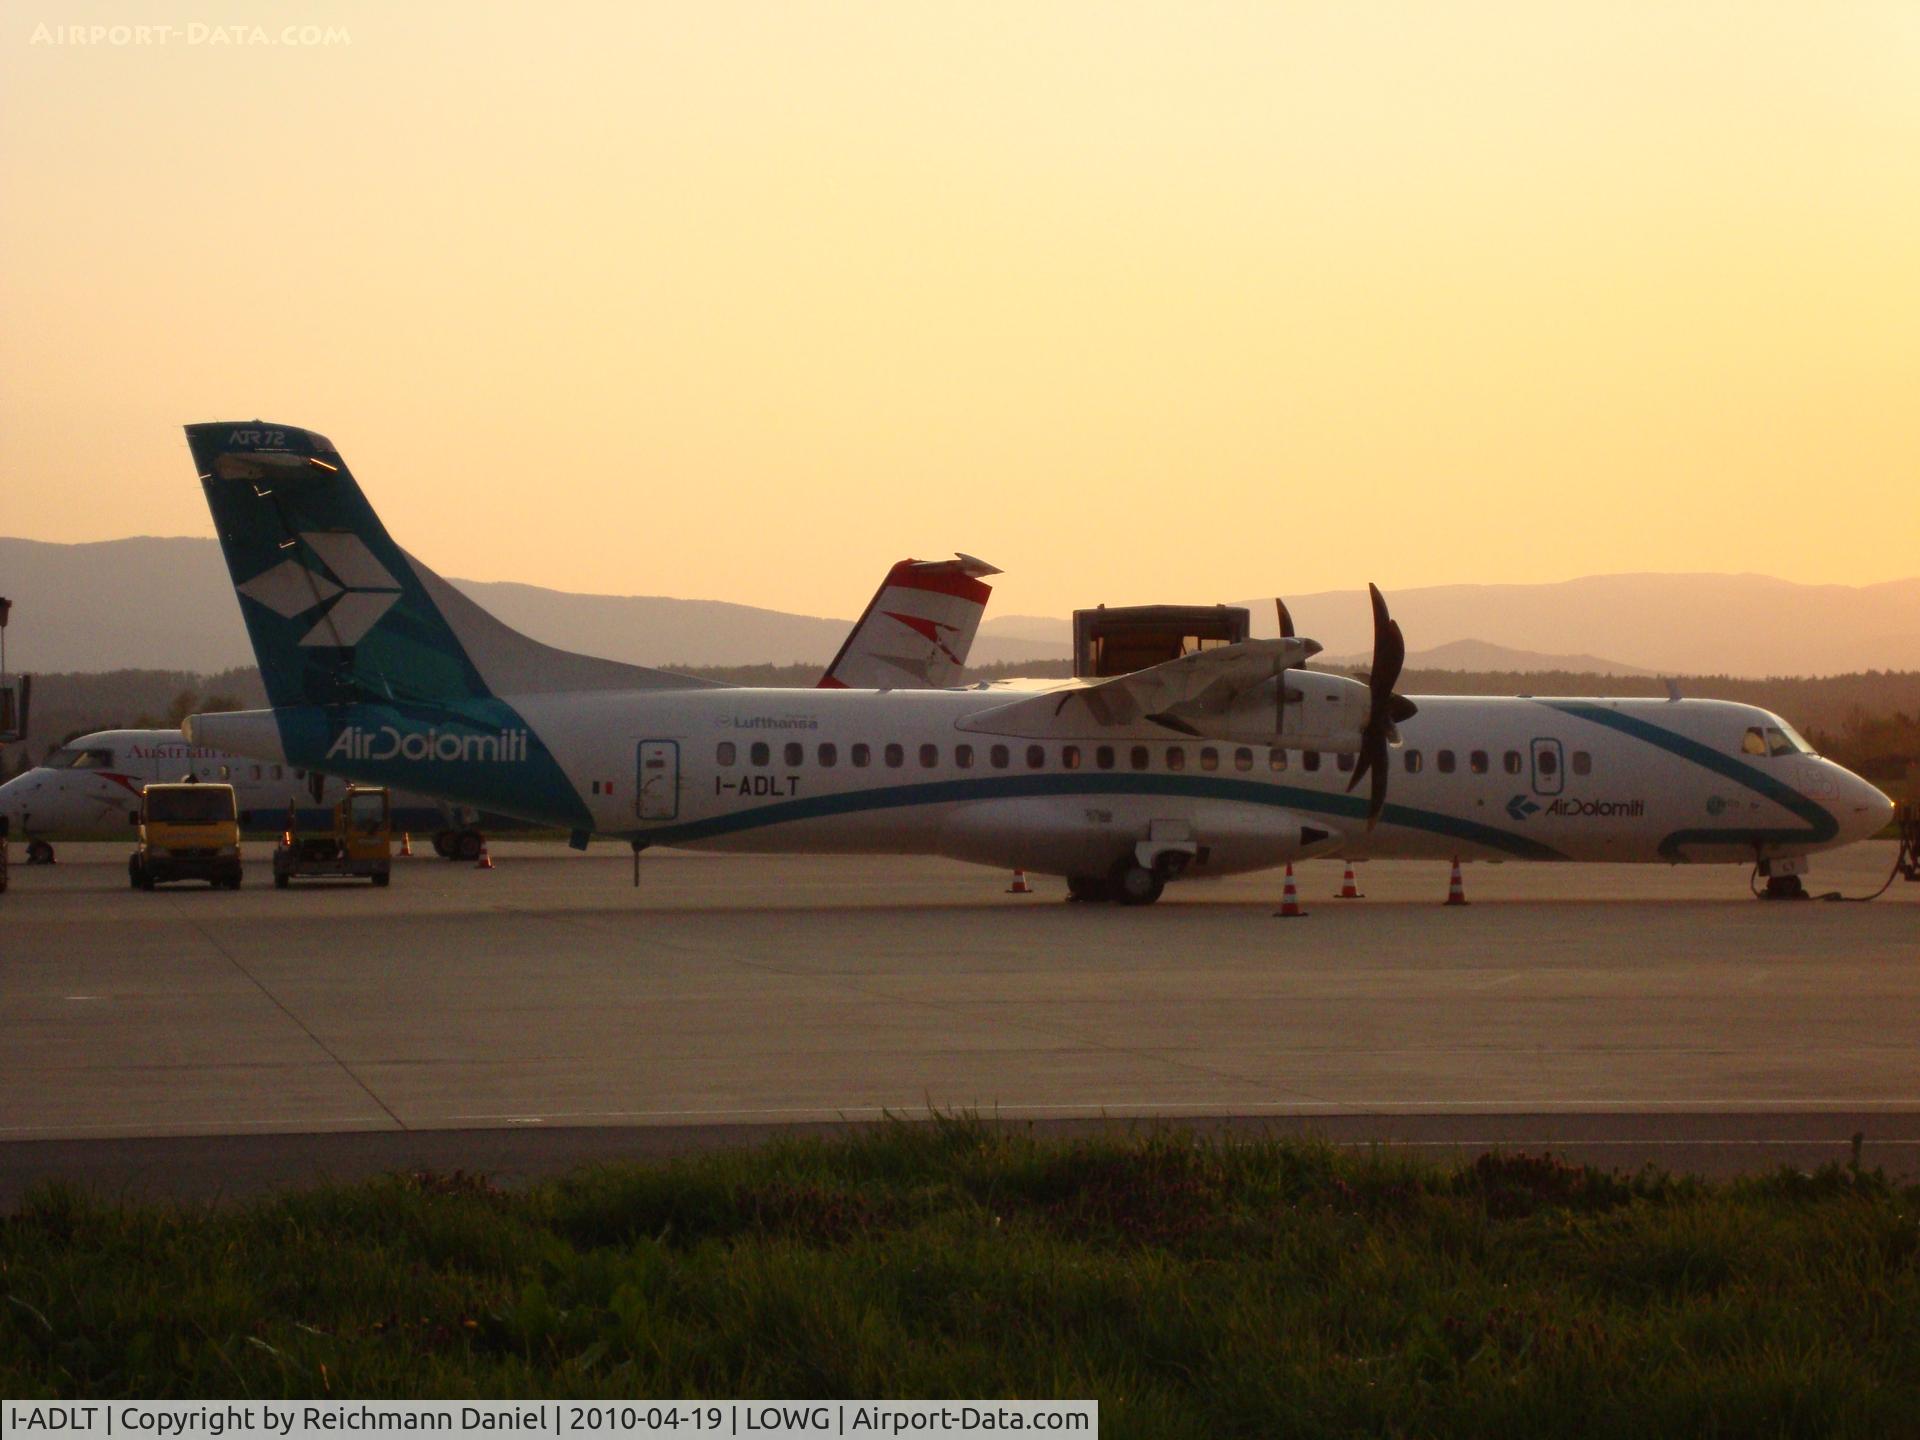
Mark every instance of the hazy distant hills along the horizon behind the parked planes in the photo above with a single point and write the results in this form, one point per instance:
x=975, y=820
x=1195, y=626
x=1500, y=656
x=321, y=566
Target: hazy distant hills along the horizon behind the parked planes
x=166, y=606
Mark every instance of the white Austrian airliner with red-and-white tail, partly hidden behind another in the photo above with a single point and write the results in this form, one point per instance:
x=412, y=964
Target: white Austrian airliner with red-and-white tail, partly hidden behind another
x=917, y=633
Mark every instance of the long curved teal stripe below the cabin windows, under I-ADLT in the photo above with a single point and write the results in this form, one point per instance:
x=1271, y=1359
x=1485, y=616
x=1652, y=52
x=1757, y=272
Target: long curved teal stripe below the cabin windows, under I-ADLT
x=1007, y=788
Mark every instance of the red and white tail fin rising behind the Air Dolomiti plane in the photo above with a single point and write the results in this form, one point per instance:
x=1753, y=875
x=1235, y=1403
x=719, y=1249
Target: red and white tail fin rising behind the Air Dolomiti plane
x=917, y=631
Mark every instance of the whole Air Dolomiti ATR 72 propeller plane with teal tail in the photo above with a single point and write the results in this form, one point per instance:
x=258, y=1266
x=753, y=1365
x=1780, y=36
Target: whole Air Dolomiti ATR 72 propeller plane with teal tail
x=1222, y=761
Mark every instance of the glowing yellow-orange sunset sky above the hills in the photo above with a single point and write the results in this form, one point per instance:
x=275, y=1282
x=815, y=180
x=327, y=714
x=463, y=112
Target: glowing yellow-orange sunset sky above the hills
x=1138, y=302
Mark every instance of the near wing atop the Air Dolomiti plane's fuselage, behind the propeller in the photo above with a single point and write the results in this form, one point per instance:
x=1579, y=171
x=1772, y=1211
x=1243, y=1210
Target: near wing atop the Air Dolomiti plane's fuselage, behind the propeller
x=1176, y=696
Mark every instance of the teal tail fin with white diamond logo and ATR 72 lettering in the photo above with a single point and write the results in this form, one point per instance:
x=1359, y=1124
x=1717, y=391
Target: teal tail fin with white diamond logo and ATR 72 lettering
x=337, y=612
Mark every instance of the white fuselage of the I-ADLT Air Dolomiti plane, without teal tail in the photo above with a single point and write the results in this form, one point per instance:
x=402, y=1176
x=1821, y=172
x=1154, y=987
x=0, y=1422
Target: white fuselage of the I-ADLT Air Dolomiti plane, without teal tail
x=1495, y=779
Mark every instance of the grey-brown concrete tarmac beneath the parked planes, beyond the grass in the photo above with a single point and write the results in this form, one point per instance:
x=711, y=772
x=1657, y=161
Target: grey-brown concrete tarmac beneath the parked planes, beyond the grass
x=1644, y=1013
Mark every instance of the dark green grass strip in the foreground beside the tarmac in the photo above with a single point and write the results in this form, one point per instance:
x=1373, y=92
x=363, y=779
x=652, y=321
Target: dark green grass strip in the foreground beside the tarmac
x=1195, y=1287
